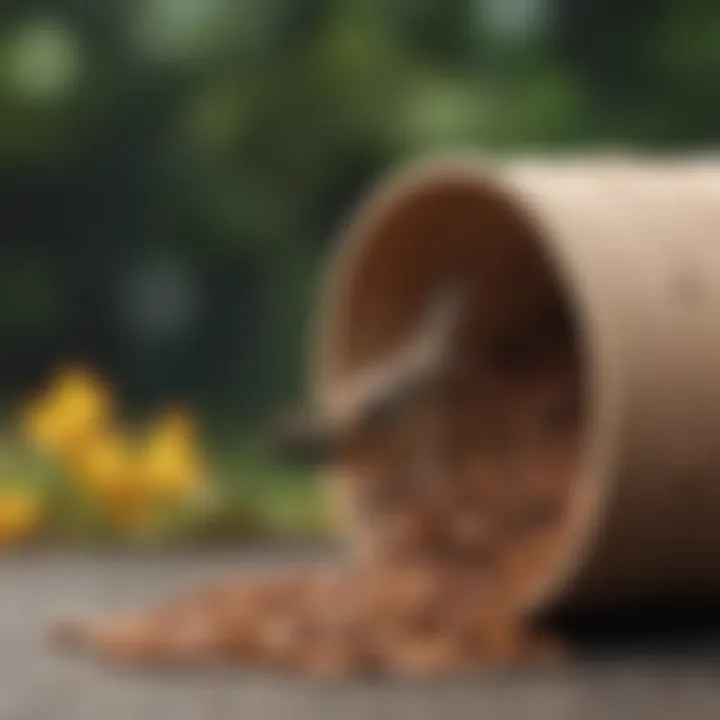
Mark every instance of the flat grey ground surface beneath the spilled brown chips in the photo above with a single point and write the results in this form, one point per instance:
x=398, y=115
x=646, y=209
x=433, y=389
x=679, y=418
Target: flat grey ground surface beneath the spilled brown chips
x=36, y=684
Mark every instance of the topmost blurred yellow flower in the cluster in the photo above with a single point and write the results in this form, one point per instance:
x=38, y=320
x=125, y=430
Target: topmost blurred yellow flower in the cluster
x=75, y=405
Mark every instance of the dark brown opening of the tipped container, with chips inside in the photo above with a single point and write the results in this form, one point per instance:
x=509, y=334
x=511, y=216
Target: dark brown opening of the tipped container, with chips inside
x=512, y=417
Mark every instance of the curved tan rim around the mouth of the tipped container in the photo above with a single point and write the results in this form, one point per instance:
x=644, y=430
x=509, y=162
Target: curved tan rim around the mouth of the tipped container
x=514, y=183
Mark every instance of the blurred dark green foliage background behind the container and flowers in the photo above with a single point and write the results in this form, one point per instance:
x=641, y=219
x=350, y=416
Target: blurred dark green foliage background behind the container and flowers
x=172, y=172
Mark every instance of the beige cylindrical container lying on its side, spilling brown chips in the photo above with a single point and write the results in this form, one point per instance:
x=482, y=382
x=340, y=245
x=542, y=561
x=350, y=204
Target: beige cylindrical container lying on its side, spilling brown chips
x=632, y=248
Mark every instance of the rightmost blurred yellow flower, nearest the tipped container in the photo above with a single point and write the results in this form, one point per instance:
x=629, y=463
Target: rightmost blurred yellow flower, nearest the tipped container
x=171, y=462
